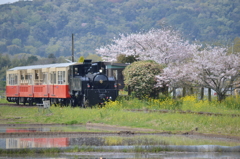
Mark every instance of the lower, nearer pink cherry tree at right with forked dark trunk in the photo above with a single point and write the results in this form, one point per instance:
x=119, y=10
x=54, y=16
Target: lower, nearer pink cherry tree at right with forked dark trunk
x=210, y=68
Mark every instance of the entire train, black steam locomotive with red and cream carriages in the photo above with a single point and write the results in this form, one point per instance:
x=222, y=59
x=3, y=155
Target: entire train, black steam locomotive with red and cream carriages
x=76, y=84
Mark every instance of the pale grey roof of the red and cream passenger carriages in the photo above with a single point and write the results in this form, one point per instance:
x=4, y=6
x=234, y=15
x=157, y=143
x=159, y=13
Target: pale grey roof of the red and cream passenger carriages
x=41, y=66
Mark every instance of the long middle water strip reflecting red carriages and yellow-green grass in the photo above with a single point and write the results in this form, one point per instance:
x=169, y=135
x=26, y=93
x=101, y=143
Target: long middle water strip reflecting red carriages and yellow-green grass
x=69, y=142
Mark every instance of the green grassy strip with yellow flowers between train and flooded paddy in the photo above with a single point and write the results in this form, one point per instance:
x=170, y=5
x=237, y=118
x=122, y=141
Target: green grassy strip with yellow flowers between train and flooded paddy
x=114, y=113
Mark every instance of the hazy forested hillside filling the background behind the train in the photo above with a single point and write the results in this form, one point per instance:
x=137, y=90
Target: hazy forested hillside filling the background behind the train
x=44, y=27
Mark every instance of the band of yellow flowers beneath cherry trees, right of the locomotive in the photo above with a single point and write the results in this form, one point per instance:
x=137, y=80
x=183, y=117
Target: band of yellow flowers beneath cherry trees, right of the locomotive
x=189, y=103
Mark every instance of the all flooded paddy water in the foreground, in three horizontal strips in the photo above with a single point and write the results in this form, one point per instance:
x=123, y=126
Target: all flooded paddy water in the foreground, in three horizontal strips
x=107, y=141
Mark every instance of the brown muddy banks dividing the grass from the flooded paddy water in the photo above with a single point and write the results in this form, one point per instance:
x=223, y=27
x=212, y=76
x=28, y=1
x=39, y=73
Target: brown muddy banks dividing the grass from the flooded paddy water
x=111, y=130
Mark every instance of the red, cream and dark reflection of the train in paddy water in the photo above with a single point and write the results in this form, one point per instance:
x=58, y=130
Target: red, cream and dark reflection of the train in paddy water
x=18, y=143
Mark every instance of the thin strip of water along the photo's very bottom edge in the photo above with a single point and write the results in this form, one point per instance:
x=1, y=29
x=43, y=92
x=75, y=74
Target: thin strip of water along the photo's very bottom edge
x=111, y=155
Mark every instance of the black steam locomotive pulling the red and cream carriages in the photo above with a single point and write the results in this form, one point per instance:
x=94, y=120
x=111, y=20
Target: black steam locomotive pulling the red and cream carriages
x=89, y=85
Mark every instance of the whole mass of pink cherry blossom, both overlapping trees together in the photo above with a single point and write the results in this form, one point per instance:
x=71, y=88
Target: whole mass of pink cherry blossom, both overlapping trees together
x=185, y=64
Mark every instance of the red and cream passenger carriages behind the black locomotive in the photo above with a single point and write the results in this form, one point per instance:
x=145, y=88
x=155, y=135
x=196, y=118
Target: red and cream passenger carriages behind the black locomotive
x=32, y=84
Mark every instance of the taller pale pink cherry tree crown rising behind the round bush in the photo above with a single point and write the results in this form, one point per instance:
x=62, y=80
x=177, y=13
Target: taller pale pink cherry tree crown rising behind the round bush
x=161, y=45
